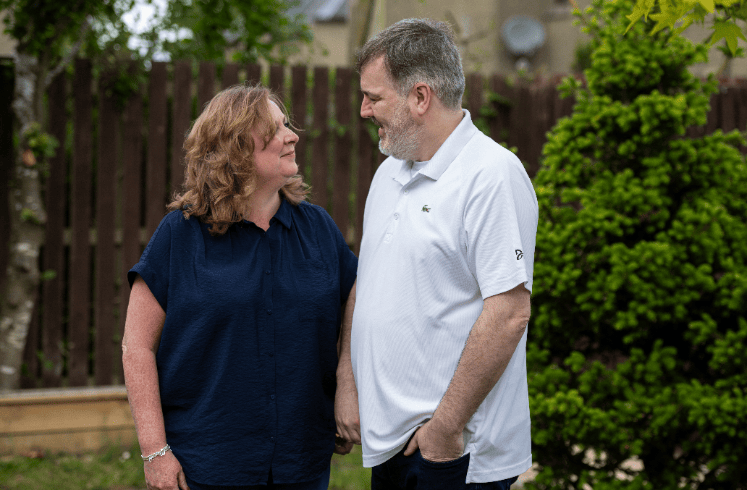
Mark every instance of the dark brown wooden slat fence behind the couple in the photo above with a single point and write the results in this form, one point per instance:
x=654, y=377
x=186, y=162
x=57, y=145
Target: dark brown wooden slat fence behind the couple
x=108, y=185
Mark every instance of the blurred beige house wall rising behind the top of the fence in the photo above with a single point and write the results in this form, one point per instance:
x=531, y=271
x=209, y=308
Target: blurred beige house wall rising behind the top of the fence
x=478, y=27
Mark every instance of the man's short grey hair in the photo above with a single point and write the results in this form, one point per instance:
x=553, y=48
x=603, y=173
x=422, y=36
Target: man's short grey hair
x=419, y=50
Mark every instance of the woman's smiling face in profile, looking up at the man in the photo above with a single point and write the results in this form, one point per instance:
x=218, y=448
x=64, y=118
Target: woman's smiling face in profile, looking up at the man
x=276, y=162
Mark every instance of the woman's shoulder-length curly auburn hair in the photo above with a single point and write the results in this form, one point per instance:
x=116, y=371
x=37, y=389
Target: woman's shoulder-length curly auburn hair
x=220, y=174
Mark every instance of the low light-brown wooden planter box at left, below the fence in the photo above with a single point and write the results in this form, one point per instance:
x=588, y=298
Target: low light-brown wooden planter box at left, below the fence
x=70, y=420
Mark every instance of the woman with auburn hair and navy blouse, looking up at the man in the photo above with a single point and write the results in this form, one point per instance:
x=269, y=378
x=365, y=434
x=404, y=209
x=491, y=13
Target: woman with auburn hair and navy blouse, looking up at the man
x=229, y=348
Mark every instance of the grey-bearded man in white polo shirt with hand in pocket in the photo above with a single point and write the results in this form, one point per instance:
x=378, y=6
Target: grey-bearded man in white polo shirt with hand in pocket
x=438, y=344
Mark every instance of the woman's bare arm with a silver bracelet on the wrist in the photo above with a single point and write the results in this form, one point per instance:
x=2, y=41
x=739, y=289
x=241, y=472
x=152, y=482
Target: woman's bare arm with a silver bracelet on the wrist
x=145, y=319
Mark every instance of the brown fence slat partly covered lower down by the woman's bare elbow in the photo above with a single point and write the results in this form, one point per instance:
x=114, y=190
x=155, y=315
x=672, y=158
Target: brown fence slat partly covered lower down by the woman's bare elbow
x=132, y=164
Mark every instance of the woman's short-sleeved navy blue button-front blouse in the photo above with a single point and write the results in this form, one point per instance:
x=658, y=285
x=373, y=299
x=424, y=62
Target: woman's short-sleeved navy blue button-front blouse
x=247, y=358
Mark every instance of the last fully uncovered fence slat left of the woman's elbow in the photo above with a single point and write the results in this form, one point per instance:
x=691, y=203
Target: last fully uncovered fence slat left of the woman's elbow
x=105, y=281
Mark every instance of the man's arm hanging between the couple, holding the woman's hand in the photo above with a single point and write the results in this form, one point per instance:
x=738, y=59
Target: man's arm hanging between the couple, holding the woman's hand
x=346, y=397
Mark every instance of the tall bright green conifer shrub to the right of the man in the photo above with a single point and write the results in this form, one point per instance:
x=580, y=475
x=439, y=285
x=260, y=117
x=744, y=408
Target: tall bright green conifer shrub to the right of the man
x=638, y=340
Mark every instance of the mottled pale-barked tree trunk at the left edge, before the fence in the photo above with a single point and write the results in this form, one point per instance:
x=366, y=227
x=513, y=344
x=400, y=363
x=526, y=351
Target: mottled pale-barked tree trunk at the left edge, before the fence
x=27, y=218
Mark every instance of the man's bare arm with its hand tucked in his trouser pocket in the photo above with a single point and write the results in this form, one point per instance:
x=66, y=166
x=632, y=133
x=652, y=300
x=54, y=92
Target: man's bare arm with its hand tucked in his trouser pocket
x=490, y=345
